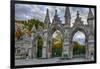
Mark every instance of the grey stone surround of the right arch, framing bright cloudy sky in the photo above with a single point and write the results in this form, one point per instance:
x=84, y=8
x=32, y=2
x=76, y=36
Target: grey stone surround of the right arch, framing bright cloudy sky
x=74, y=30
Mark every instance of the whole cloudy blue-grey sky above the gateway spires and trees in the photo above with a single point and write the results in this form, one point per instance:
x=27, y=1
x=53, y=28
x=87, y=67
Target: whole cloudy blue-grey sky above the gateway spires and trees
x=29, y=11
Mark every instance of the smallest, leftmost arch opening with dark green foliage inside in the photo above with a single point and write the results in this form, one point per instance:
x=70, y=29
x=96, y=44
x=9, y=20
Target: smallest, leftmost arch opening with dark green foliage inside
x=37, y=46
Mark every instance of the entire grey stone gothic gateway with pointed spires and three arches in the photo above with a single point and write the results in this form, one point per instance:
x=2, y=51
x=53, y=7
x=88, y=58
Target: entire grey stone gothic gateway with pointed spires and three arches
x=66, y=30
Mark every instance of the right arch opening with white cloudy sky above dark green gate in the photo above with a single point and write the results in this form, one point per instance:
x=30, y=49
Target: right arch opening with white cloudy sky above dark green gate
x=79, y=45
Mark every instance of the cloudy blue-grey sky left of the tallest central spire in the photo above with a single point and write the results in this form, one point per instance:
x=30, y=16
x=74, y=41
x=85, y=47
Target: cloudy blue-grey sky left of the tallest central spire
x=24, y=11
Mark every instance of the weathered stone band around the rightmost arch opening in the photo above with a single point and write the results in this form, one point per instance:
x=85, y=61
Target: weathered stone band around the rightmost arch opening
x=75, y=30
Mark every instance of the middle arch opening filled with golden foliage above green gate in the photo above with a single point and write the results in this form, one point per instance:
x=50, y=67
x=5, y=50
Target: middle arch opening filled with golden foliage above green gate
x=57, y=44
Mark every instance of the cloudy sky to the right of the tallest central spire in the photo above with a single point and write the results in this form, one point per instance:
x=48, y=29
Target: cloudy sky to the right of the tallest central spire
x=82, y=11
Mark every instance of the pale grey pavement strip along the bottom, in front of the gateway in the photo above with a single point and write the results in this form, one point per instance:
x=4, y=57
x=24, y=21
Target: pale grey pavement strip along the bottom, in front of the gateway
x=46, y=61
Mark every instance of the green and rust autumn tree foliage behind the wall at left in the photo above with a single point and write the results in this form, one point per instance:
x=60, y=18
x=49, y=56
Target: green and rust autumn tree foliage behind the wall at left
x=27, y=26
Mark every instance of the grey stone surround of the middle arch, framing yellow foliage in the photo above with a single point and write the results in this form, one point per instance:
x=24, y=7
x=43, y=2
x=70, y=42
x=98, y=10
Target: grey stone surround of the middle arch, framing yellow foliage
x=50, y=33
